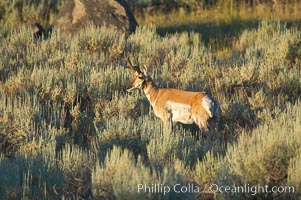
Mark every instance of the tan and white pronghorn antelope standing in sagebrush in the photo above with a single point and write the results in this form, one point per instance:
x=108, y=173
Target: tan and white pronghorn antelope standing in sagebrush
x=172, y=105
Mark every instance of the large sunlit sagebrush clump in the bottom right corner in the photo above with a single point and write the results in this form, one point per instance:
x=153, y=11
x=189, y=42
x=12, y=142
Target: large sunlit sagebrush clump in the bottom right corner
x=268, y=153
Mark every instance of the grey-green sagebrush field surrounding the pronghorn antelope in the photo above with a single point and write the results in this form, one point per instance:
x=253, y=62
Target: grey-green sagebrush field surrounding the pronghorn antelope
x=69, y=130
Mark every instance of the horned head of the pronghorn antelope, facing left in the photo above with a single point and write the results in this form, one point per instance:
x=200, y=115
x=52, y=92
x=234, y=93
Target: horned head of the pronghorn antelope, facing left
x=140, y=77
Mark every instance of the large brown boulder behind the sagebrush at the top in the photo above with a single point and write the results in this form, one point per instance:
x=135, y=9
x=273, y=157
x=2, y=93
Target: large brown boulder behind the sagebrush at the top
x=76, y=14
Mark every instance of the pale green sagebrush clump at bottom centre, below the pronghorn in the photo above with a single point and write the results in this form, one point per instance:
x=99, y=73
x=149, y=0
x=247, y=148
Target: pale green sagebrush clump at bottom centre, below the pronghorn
x=111, y=181
